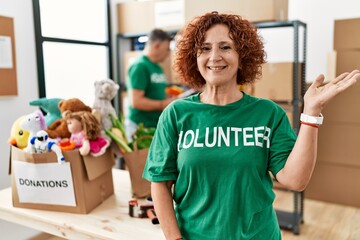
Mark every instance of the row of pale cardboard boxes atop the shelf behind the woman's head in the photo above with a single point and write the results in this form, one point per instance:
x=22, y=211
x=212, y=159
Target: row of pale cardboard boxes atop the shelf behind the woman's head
x=137, y=17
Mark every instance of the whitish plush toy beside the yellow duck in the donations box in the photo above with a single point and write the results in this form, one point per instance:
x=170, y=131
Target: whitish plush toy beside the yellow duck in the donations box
x=33, y=123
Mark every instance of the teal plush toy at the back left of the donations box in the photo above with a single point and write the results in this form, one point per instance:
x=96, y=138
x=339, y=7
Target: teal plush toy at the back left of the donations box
x=50, y=106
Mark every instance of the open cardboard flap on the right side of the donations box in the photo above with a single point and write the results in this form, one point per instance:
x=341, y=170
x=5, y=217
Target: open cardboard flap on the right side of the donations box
x=97, y=166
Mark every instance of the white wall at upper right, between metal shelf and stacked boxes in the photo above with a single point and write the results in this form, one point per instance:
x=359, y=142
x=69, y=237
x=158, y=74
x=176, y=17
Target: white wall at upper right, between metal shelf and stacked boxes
x=319, y=16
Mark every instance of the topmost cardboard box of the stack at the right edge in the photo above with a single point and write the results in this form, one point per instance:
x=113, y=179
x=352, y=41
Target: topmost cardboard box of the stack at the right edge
x=347, y=34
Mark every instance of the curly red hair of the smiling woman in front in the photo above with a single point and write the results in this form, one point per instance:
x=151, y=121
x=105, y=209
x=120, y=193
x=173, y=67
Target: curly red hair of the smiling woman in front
x=247, y=42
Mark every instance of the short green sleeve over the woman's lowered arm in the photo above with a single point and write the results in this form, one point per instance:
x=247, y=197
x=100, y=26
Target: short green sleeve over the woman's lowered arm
x=161, y=164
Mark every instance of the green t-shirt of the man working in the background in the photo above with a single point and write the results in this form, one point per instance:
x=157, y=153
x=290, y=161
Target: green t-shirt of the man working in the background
x=149, y=77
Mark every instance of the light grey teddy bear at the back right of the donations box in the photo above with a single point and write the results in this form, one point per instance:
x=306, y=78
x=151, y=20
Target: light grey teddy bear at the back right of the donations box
x=105, y=91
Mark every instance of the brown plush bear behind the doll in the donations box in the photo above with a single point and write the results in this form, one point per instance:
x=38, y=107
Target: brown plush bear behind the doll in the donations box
x=59, y=129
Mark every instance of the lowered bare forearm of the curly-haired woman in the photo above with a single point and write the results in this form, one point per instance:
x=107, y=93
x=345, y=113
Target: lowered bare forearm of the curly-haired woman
x=163, y=203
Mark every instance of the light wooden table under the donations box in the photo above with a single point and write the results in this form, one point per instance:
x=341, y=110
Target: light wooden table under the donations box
x=110, y=220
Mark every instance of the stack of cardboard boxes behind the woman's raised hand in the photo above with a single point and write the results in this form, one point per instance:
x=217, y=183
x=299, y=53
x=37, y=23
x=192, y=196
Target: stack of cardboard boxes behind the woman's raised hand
x=336, y=176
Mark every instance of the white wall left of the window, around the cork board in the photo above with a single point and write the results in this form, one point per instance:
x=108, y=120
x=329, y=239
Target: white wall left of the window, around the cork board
x=15, y=106
